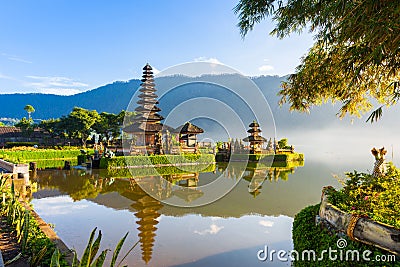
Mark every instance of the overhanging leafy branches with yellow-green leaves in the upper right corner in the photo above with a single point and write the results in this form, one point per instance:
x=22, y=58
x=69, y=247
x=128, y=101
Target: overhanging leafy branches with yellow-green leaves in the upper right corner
x=355, y=58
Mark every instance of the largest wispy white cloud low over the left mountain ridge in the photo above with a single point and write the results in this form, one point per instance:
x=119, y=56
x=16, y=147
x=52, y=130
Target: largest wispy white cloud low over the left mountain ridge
x=55, y=85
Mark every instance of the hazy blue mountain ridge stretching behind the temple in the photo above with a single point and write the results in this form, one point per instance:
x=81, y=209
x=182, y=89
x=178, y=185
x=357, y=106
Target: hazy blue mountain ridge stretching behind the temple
x=226, y=95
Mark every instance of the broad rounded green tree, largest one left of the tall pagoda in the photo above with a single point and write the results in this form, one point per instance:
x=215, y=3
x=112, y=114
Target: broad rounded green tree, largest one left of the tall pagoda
x=78, y=124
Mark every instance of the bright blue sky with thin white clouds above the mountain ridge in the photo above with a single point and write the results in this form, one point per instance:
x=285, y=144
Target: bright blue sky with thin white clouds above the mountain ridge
x=68, y=46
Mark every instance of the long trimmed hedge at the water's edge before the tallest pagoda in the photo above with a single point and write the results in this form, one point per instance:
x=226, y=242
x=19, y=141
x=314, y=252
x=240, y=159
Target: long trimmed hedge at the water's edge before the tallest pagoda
x=123, y=162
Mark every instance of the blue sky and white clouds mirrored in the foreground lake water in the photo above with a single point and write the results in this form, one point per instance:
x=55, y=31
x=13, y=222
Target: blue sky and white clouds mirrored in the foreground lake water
x=178, y=240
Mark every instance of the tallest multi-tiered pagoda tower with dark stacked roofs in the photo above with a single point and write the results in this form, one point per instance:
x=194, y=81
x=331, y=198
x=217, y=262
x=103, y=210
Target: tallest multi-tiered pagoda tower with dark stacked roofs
x=147, y=126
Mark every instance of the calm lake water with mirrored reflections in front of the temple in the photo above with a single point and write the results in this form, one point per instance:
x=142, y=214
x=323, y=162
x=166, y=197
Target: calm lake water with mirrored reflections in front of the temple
x=227, y=232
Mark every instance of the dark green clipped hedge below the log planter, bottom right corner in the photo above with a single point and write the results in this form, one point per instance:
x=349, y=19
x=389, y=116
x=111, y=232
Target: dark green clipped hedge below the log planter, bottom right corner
x=309, y=236
